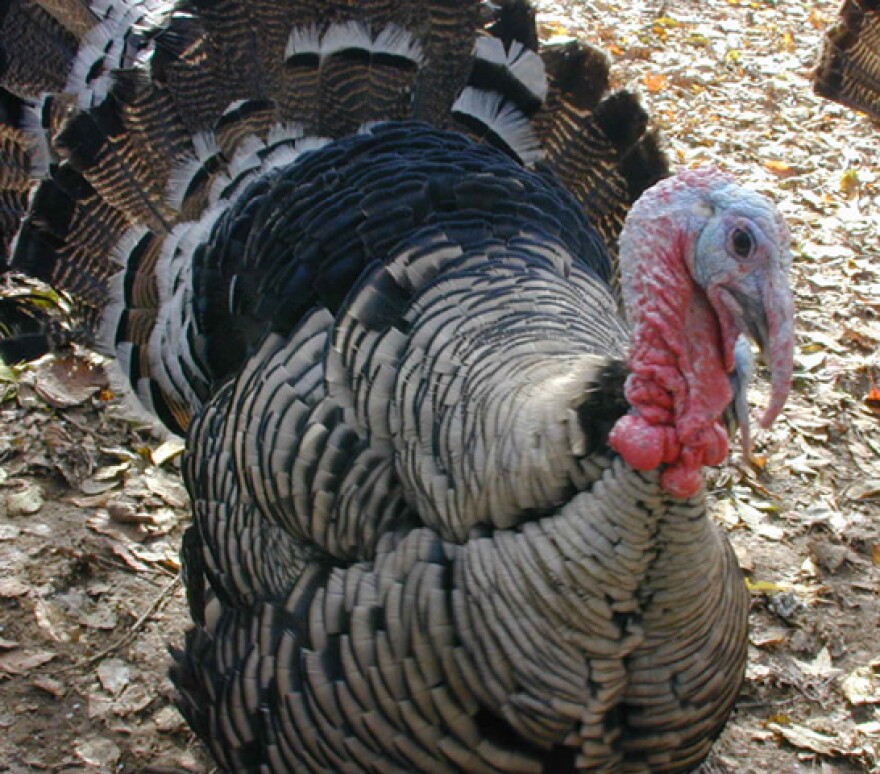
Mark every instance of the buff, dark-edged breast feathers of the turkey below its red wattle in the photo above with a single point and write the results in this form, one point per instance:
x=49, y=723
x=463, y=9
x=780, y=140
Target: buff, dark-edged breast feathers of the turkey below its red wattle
x=623, y=620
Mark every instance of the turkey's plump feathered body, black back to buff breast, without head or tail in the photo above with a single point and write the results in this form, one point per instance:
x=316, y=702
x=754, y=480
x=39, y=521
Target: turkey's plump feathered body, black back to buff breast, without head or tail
x=446, y=577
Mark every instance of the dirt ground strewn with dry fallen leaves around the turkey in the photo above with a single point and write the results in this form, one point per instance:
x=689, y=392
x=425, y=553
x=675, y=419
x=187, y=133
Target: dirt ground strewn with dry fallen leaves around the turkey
x=92, y=510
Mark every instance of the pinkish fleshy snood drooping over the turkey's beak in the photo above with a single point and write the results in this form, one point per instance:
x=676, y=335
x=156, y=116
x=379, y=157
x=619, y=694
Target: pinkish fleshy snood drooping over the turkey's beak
x=772, y=327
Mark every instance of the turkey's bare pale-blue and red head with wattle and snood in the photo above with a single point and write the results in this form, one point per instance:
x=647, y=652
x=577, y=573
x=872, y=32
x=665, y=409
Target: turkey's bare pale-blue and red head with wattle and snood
x=703, y=261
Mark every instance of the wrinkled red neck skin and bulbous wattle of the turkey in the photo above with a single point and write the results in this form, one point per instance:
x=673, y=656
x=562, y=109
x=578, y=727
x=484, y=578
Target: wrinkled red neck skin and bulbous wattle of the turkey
x=678, y=386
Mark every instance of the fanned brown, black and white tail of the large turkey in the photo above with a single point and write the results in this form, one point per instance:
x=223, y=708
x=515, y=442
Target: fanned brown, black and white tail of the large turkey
x=166, y=115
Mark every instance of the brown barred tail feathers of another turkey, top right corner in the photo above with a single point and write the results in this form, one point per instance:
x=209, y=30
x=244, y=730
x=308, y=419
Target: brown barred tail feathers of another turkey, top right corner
x=849, y=69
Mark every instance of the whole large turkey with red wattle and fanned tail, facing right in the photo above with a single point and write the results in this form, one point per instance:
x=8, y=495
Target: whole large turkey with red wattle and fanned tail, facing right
x=447, y=495
